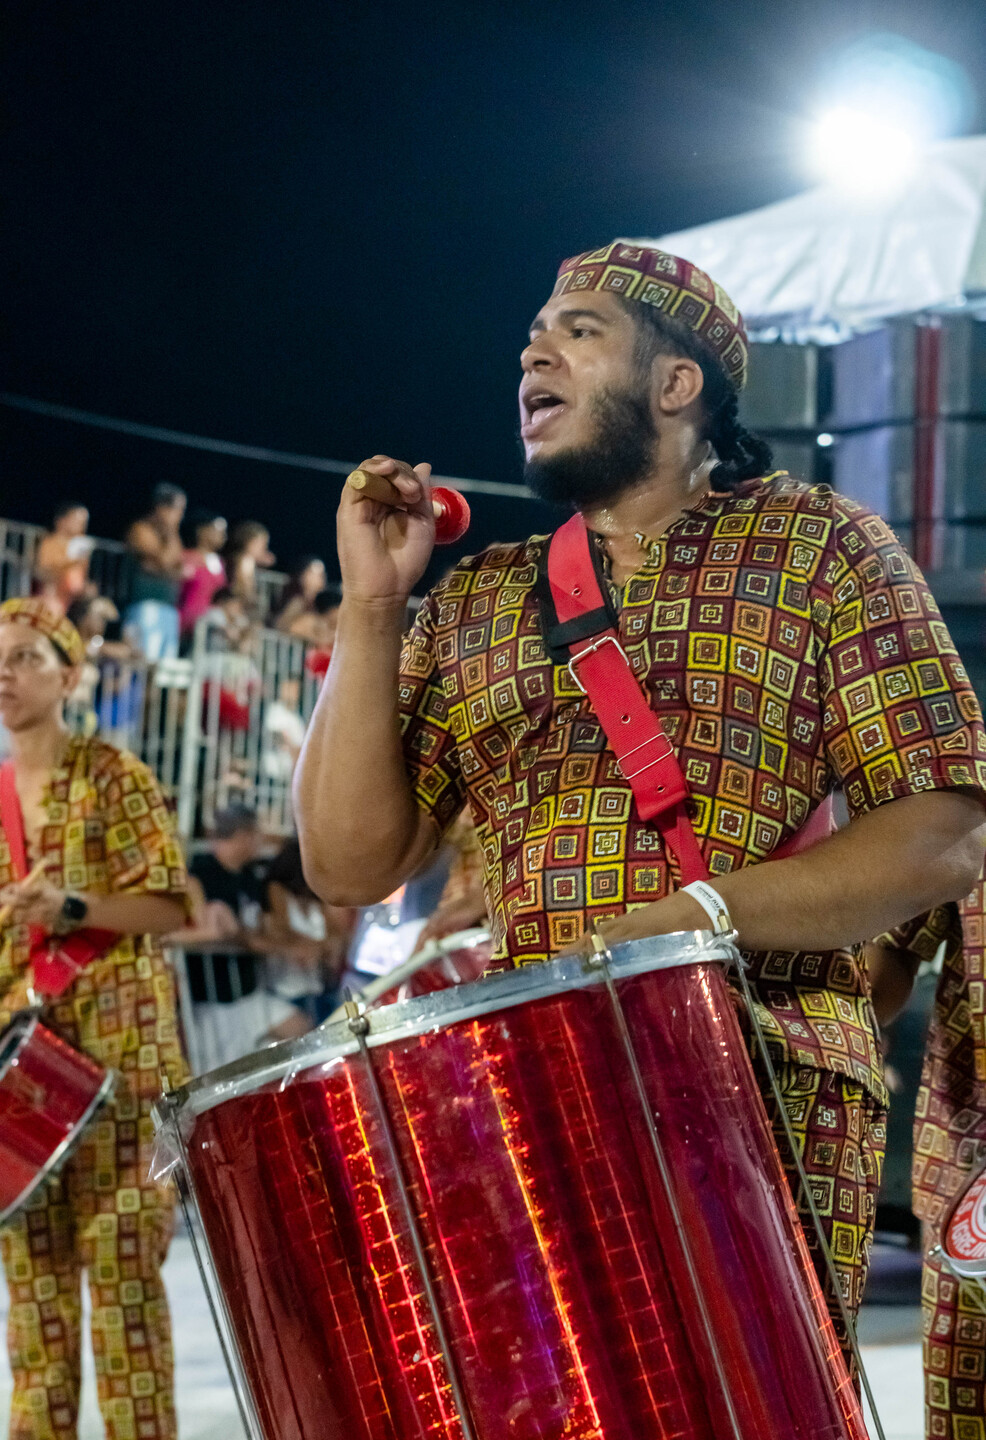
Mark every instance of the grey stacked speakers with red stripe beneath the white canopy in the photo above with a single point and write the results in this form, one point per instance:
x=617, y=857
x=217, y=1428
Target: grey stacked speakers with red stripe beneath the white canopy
x=900, y=413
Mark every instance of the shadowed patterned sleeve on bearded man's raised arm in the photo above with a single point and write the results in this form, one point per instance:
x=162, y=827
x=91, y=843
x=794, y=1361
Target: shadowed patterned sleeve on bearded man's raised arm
x=431, y=754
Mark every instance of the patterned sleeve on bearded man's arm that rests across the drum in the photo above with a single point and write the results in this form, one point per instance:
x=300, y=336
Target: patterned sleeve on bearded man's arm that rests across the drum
x=899, y=712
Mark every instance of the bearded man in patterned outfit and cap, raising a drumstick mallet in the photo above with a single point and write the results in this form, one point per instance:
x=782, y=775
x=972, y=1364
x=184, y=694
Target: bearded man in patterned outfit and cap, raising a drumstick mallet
x=785, y=640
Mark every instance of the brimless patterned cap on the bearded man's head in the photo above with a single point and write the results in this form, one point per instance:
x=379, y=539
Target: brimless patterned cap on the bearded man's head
x=680, y=289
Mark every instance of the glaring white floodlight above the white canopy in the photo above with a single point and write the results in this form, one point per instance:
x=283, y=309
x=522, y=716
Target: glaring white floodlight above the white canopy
x=861, y=152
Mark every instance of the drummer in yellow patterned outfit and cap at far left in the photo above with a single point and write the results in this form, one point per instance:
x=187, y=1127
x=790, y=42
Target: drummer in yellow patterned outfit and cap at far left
x=112, y=863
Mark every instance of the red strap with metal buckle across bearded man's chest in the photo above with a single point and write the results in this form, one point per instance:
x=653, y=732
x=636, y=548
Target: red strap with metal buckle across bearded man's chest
x=601, y=667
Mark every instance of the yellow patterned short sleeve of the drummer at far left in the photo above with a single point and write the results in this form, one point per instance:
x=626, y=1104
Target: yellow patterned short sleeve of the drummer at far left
x=143, y=852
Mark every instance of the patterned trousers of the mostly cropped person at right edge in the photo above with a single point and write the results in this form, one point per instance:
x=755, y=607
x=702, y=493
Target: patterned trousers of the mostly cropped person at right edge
x=955, y=1357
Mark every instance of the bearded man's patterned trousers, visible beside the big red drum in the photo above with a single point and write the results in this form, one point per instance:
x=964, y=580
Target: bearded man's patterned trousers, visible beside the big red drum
x=841, y=1133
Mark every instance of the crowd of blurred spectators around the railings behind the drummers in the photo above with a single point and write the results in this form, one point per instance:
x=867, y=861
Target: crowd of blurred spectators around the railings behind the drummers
x=264, y=958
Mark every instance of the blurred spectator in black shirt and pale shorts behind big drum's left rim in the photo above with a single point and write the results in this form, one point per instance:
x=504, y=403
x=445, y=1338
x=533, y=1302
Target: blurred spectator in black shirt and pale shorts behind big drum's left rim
x=225, y=945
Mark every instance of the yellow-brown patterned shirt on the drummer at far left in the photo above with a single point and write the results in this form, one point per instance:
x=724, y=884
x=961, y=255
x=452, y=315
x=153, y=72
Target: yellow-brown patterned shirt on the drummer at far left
x=109, y=832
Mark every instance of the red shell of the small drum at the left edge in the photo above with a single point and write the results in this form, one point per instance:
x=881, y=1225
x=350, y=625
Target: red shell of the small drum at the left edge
x=48, y=1094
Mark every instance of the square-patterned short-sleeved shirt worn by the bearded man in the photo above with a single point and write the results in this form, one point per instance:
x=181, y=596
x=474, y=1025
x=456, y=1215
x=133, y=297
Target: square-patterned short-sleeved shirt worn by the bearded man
x=788, y=644
